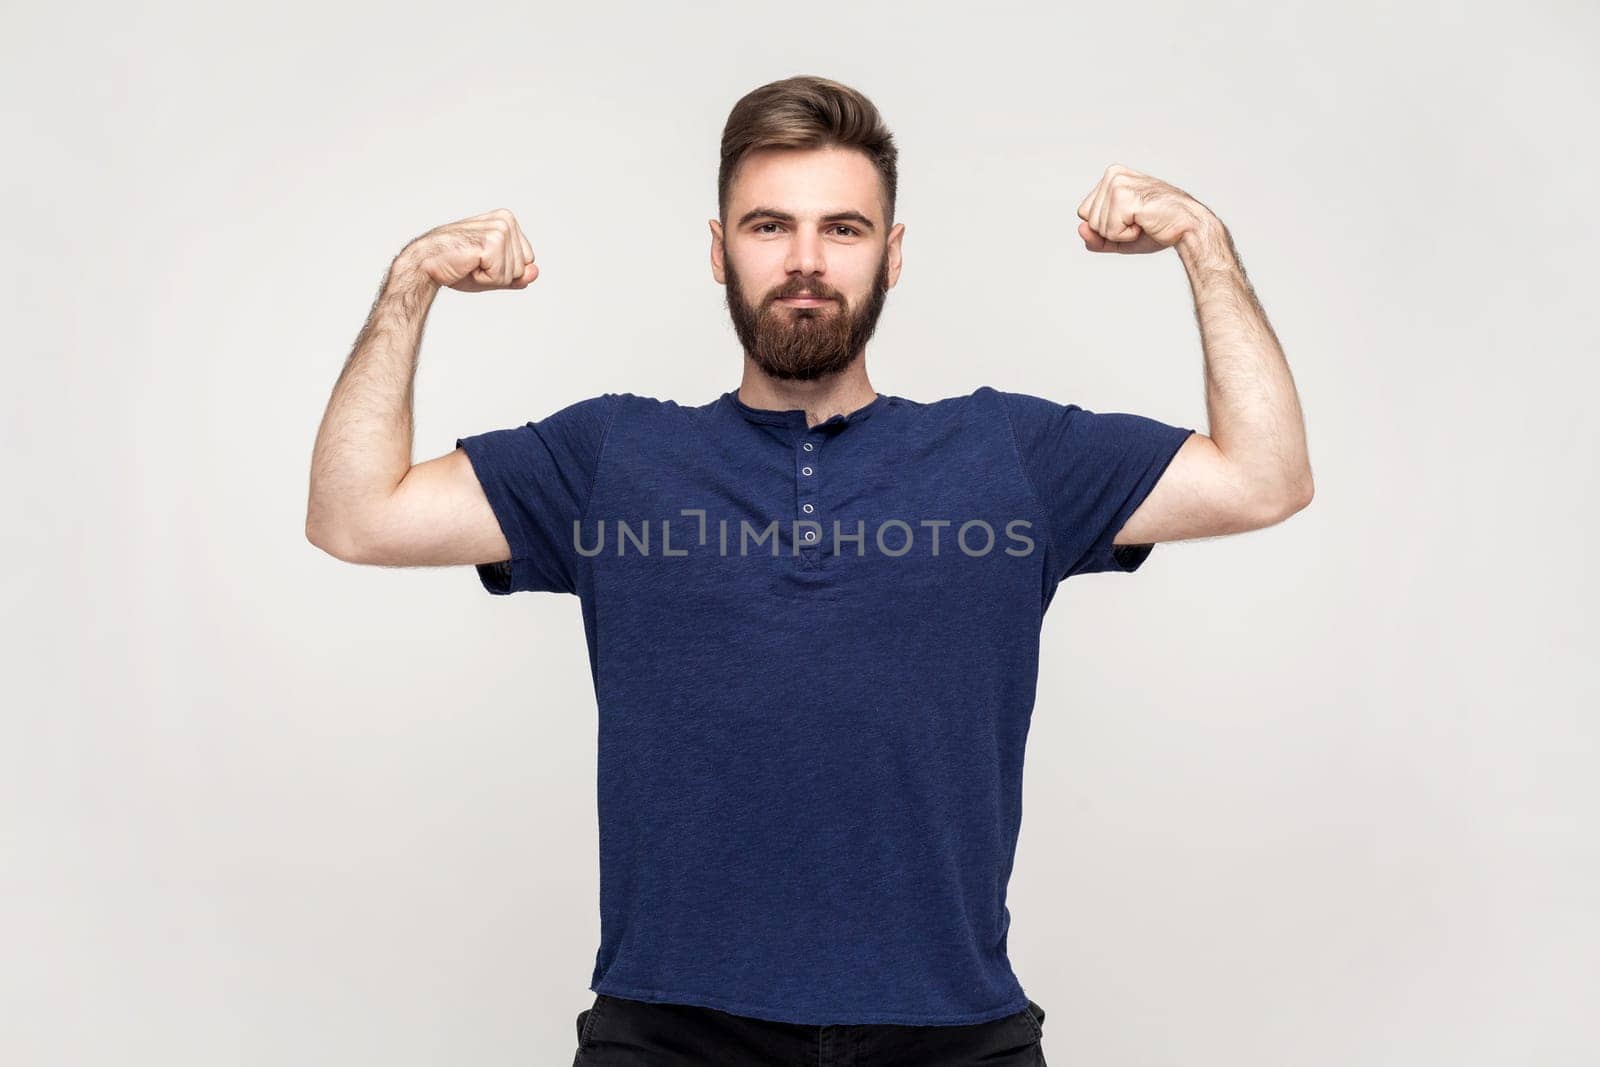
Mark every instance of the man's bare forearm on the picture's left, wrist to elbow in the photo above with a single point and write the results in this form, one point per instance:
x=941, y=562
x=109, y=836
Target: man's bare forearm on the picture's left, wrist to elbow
x=364, y=444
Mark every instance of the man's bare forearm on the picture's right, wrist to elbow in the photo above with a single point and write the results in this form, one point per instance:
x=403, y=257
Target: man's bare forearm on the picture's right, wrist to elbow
x=1254, y=409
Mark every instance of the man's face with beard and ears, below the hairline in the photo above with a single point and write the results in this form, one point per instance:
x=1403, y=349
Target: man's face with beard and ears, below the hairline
x=806, y=223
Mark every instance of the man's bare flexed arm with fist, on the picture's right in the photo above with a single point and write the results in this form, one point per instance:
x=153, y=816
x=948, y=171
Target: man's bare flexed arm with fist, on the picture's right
x=1252, y=471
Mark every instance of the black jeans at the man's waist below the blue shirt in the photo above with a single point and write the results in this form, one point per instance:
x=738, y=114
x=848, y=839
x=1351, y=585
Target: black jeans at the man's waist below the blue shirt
x=618, y=1033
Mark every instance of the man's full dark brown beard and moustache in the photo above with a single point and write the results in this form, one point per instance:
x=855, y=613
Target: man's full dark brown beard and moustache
x=806, y=343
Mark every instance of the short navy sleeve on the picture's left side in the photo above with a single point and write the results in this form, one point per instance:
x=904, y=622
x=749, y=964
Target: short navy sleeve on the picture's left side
x=538, y=479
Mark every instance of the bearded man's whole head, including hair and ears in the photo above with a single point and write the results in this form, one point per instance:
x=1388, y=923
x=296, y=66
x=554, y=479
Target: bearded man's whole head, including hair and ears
x=807, y=198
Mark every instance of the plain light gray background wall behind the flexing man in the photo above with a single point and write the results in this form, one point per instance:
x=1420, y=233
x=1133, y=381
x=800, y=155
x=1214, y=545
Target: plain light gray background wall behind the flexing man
x=1319, y=794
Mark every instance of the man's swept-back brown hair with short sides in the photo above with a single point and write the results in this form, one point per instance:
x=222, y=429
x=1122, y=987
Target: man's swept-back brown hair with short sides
x=807, y=113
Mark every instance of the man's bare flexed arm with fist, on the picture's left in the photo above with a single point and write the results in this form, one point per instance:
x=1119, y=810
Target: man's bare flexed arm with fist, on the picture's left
x=369, y=503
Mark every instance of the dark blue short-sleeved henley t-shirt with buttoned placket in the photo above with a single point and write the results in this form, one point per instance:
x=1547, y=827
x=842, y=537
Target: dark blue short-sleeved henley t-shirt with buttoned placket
x=814, y=652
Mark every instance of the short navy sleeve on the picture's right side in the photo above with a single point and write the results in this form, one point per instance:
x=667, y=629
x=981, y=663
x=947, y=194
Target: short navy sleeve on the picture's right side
x=1090, y=473
